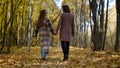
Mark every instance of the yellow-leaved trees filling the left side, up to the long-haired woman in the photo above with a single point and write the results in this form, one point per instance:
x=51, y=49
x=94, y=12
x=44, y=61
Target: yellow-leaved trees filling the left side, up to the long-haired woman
x=16, y=24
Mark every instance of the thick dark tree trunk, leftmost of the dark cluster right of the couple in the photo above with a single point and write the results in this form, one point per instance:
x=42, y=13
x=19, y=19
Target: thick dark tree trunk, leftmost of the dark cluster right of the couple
x=95, y=35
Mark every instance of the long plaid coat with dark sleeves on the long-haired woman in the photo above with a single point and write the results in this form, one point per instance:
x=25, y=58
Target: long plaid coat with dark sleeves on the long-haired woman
x=44, y=34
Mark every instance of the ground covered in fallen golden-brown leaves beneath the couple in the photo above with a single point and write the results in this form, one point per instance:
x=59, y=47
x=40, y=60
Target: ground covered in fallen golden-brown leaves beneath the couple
x=79, y=58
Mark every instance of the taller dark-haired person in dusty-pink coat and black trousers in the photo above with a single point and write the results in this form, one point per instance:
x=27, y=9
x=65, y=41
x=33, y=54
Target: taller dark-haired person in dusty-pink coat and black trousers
x=66, y=26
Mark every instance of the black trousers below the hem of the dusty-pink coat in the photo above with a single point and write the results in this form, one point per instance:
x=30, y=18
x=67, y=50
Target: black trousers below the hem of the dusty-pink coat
x=65, y=48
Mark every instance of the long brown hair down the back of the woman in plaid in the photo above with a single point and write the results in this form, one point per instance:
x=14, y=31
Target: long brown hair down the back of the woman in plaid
x=41, y=18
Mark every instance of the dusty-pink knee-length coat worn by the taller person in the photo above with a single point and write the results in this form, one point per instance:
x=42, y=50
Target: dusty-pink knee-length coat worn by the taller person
x=66, y=26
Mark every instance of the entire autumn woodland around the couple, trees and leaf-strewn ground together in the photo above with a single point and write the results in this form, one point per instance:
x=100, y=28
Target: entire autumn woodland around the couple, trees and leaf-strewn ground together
x=96, y=32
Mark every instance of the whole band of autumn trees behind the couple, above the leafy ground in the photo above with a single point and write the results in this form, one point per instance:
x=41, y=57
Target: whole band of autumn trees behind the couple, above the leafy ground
x=18, y=19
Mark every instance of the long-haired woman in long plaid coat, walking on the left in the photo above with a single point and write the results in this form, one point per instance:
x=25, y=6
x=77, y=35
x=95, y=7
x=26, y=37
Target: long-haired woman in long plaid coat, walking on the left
x=44, y=28
